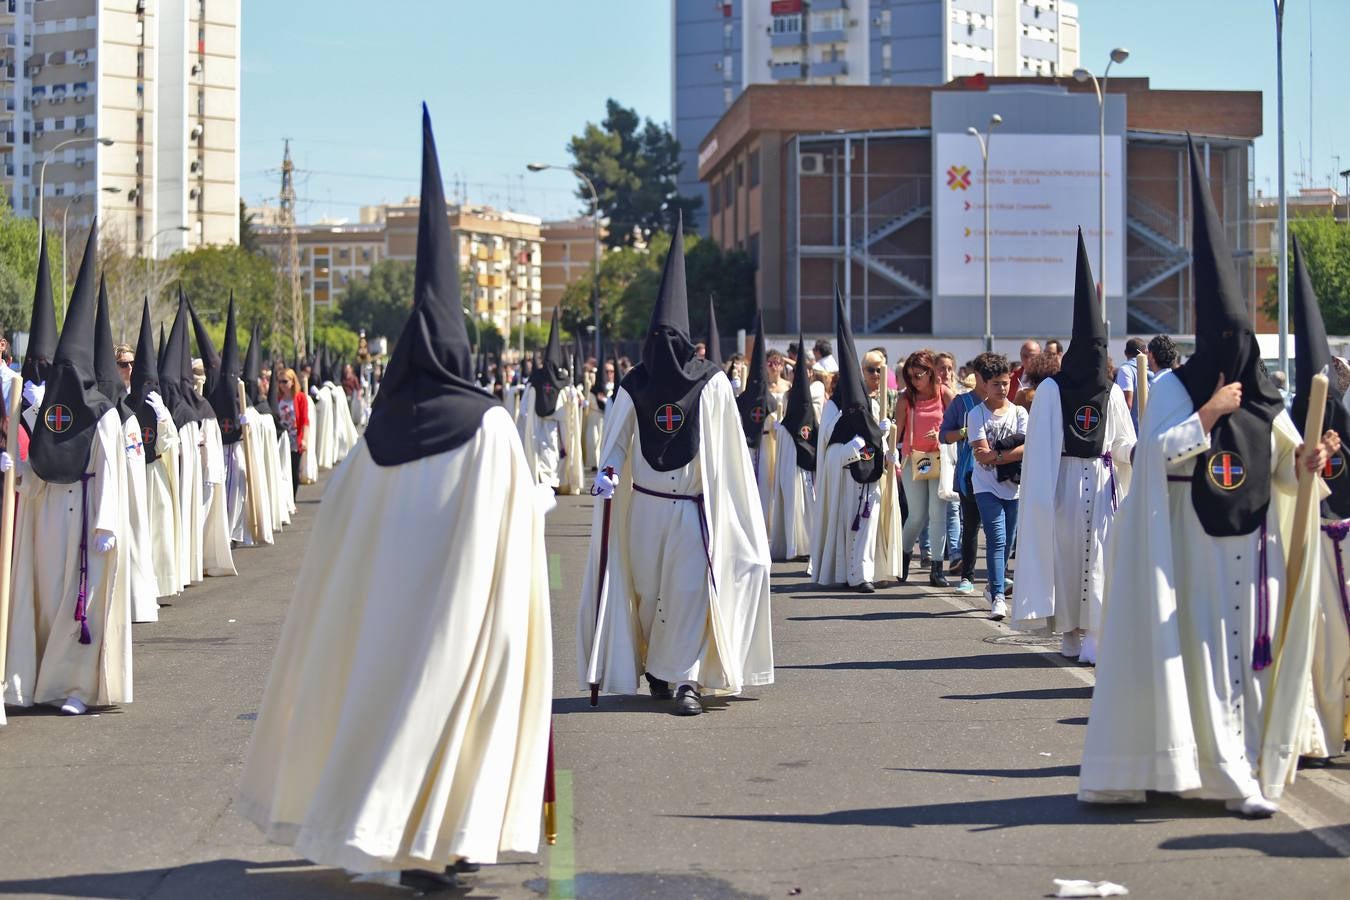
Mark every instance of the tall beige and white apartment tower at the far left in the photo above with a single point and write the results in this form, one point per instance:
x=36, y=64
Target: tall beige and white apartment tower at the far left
x=157, y=79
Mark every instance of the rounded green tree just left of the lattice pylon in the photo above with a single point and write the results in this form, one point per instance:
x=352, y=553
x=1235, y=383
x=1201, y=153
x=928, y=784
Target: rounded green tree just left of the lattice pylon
x=209, y=275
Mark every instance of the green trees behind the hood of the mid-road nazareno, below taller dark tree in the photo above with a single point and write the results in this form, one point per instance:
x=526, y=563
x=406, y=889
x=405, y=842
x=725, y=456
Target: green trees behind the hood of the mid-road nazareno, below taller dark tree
x=631, y=279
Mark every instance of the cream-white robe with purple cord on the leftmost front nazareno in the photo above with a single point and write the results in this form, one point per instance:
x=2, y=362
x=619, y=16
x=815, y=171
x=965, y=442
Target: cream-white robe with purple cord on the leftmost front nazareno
x=47, y=663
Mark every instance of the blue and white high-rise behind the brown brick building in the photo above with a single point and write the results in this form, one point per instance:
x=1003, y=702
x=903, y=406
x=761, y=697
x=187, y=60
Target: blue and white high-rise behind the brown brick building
x=723, y=47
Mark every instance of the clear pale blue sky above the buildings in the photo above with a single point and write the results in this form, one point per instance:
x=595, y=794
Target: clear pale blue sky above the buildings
x=510, y=82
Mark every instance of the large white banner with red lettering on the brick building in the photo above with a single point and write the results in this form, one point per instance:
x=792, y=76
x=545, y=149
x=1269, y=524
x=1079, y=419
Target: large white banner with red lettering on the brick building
x=1043, y=188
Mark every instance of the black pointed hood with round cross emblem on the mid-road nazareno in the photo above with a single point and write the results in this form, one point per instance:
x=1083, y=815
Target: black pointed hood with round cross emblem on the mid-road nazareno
x=668, y=384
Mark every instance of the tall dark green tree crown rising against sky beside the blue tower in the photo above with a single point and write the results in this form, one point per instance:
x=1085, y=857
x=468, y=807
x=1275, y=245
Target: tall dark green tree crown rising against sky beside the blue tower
x=635, y=167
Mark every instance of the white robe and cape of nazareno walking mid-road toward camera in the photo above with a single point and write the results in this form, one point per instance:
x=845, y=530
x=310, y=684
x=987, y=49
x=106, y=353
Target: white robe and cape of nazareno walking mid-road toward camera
x=713, y=627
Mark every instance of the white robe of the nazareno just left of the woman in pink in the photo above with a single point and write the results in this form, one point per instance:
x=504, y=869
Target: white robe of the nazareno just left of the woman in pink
x=840, y=554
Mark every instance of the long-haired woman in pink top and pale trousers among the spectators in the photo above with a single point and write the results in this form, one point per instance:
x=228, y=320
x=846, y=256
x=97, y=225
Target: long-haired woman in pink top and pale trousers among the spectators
x=920, y=416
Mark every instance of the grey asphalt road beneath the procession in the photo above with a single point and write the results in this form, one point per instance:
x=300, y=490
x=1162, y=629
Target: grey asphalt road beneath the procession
x=909, y=748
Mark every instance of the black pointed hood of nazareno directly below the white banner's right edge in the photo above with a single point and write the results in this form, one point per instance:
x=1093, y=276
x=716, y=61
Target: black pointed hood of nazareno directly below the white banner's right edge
x=1085, y=378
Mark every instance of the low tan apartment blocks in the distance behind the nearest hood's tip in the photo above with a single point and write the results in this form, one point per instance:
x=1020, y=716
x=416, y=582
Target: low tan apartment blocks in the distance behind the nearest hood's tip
x=500, y=252
